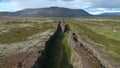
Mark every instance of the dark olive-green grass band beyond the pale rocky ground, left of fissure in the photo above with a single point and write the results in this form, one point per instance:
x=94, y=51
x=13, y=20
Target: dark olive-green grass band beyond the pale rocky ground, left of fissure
x=21, y=34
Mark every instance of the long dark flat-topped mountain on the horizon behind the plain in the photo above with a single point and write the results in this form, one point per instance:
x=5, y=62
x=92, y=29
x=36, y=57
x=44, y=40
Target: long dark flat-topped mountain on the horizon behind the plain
x=48, y=12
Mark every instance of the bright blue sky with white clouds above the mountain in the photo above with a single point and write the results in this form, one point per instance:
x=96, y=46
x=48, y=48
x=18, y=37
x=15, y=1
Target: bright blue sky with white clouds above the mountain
x=91, y=6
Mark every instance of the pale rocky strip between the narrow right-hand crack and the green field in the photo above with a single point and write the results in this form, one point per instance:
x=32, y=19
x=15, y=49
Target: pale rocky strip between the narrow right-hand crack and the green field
x=98, y=54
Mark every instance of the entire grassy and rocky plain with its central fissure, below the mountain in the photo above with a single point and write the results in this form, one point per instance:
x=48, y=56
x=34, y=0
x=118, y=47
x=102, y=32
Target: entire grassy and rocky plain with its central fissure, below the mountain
x=73, y=43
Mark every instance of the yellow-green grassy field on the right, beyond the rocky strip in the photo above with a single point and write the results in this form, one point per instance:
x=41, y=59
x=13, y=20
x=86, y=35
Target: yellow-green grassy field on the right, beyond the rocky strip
x=105, y=31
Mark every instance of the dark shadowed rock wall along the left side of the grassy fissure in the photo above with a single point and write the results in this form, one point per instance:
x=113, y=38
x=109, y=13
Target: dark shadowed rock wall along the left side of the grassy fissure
x=40, y=62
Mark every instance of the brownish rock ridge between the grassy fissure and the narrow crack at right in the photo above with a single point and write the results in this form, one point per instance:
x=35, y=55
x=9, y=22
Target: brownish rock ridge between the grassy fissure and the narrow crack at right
x=80, y=57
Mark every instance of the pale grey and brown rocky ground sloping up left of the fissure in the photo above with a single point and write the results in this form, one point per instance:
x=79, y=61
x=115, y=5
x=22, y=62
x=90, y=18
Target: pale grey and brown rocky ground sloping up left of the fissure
x=25, y=54
